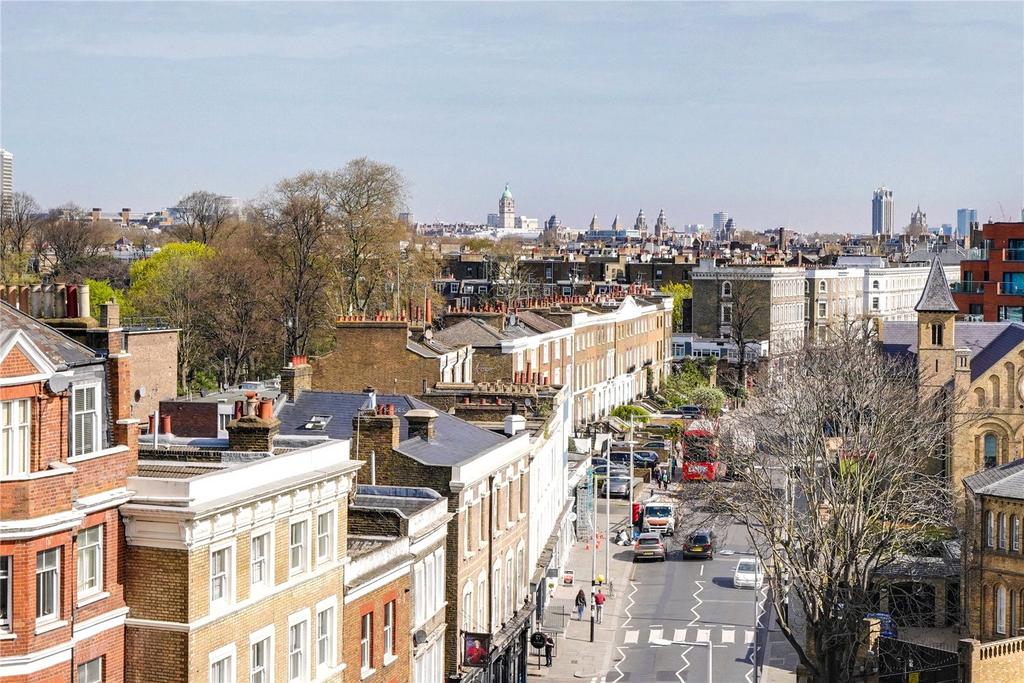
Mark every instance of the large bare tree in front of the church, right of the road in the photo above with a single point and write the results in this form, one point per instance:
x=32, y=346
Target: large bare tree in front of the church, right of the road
x=846, y=480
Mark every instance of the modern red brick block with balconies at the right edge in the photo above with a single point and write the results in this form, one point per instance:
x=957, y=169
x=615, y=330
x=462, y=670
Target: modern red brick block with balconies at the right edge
x=992, y=285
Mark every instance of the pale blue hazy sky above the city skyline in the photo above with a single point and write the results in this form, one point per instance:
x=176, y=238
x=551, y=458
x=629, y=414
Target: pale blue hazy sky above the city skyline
x=782, y=114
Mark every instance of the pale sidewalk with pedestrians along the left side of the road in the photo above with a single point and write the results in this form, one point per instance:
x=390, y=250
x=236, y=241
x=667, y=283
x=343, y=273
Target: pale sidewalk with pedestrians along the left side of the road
x=575, y=657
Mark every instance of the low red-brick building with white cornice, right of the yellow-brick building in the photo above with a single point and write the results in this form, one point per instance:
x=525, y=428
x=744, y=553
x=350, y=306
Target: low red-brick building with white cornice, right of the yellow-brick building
x=386, y=523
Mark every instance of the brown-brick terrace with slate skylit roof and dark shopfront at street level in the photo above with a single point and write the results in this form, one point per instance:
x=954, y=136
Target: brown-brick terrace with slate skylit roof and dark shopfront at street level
x=485, y=478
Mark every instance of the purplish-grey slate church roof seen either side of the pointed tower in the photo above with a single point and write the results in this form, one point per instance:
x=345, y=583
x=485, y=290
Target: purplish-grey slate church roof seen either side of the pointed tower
x=989, y=343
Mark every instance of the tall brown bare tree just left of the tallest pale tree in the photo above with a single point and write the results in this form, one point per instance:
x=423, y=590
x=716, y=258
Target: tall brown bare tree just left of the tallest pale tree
x=295, y=238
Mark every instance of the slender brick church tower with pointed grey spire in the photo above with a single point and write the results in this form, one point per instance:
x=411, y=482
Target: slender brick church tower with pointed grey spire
x=936, y=348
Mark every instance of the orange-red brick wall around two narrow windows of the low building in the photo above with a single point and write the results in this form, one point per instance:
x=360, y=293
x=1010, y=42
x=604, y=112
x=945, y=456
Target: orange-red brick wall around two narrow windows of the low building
x=401, y=669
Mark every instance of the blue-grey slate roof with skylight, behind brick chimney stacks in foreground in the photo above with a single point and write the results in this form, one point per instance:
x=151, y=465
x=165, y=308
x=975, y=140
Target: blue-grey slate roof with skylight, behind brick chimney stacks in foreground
x=456, y=441
